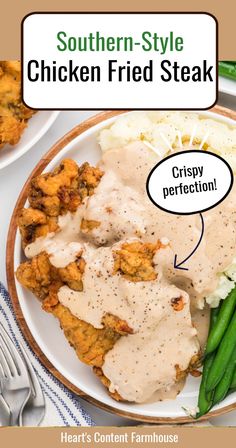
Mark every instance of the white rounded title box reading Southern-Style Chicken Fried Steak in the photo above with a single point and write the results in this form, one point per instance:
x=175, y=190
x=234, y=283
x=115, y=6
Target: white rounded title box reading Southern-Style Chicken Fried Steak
x=119, y=60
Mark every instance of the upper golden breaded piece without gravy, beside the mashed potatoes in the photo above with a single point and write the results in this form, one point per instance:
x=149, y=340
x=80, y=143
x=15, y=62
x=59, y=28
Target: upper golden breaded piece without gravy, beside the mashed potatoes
x=54, y=194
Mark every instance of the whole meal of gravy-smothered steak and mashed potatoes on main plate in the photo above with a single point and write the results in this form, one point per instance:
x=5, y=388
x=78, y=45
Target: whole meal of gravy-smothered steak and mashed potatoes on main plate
x=100, y=258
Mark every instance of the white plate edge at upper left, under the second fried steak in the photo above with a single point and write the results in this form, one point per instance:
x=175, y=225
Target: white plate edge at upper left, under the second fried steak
x=37, y=126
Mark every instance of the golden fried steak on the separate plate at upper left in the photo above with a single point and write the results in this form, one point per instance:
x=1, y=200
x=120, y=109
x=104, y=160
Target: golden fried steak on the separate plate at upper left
x=14, y=115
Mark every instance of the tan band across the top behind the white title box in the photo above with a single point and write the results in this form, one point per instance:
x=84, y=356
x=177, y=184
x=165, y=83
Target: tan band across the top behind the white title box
x=12, y=12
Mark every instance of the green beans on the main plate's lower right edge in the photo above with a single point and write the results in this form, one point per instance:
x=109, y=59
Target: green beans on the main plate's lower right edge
x=219, y=364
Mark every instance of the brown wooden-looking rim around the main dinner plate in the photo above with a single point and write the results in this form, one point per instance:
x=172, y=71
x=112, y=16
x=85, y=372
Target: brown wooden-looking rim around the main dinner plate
x=44, y=161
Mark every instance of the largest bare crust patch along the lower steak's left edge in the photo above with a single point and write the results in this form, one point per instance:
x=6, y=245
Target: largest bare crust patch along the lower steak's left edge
x=44, y=280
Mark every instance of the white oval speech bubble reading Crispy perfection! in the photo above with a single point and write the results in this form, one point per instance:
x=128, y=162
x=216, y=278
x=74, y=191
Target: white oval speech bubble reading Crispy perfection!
x=189, y=182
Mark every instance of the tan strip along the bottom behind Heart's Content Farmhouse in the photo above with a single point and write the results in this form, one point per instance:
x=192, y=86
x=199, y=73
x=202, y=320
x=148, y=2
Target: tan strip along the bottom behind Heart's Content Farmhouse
x=50, y=437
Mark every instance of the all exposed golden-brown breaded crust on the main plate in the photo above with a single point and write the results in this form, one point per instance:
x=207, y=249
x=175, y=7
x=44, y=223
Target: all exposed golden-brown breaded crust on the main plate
x=54, y=194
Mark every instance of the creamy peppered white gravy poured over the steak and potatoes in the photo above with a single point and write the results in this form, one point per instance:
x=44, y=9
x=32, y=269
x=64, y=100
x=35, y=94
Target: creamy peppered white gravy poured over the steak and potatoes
x=143, y=363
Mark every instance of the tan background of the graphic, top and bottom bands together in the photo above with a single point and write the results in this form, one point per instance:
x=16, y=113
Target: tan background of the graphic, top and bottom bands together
x=12, y=13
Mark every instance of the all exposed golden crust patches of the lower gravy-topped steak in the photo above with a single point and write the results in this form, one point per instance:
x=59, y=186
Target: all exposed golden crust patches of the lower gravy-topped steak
x=91, y=344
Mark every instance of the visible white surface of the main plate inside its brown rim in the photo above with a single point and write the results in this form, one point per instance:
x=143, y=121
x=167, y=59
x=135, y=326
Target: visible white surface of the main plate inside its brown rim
x=45, y=328
